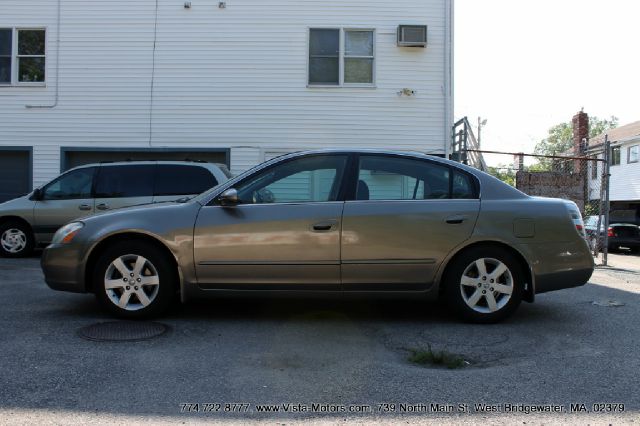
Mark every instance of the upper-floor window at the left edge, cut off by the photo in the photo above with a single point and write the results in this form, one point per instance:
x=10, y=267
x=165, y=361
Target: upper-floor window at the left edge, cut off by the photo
x=22, y=56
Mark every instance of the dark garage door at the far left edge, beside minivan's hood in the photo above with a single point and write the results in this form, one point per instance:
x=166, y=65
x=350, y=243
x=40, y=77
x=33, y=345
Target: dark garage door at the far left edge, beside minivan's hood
x=15, y=174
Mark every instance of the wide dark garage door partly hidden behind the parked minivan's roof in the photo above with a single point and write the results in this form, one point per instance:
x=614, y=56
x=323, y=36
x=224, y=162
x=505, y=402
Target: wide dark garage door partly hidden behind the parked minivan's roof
x=78, y=157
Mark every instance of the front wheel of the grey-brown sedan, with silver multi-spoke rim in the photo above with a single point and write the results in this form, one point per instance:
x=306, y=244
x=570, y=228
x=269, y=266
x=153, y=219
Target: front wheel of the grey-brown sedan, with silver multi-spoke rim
x=135, y=280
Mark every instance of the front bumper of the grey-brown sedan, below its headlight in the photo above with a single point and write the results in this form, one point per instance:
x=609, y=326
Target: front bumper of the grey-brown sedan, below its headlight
x=63, y=267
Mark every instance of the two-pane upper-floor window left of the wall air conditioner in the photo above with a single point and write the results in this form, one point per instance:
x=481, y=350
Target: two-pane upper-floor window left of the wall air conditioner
x=341, y=57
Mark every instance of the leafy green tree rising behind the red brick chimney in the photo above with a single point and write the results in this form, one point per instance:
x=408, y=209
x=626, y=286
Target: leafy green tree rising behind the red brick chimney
x=559, y=140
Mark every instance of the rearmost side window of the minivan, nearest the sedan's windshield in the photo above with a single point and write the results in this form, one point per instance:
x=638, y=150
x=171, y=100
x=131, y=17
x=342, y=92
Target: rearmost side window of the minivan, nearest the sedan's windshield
x=182, y=180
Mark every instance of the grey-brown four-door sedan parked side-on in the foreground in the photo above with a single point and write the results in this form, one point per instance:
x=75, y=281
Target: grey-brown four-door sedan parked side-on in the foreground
x=372, y=223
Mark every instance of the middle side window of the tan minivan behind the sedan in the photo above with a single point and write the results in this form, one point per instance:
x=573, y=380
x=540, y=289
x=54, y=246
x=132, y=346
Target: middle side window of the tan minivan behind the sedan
x=125, y=181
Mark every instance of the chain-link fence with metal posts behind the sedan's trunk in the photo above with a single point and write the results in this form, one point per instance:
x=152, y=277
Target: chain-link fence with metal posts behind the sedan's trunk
x=583, y=180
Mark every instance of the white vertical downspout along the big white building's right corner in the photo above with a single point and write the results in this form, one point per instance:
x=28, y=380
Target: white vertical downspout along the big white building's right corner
x=448, y=77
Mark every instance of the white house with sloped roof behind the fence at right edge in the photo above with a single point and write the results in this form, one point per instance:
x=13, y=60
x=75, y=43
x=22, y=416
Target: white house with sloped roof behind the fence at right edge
x=624, y=183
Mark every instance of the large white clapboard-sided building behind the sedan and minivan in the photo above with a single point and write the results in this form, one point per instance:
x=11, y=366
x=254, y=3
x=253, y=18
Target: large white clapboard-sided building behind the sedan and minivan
x=236, y=82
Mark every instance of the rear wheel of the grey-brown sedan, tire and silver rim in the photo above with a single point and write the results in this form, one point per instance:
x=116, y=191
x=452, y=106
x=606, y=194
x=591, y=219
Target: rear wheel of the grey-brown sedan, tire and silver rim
x=484, y=284
